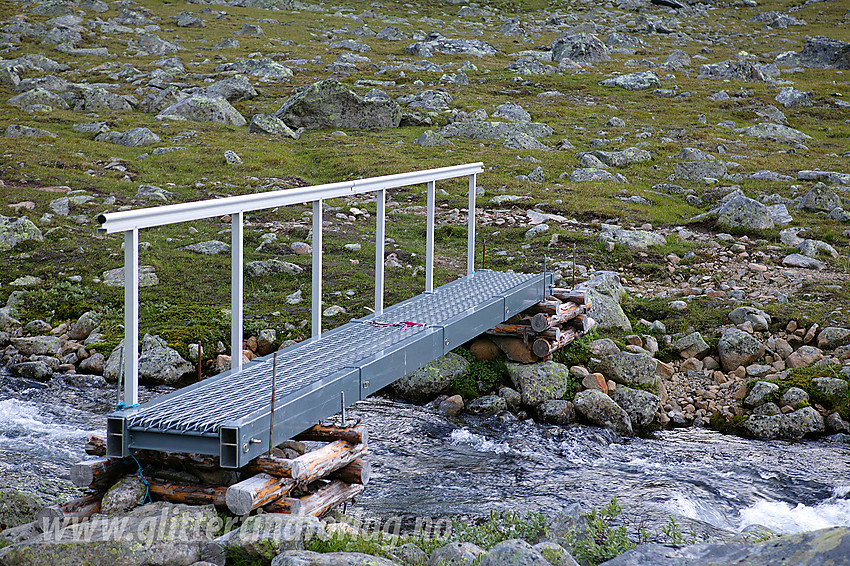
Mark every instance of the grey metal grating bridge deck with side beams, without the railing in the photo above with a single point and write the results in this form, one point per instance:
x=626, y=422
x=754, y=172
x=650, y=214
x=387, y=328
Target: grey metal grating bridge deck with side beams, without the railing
x=229, y=415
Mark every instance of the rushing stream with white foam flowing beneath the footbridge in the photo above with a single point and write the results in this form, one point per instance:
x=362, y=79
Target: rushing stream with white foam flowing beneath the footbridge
x=428, y=465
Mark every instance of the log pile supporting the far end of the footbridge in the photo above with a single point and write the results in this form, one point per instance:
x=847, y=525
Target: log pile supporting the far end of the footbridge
x=551, y=324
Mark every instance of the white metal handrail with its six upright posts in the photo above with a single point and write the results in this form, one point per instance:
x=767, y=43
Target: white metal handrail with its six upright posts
x=131, y=221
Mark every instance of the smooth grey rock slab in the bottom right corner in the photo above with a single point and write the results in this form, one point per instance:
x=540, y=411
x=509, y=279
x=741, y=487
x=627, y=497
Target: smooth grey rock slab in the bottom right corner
x=813, y=548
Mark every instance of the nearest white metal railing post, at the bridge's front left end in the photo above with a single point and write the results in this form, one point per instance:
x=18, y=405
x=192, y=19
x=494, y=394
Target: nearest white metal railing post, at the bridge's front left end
x=131, y=317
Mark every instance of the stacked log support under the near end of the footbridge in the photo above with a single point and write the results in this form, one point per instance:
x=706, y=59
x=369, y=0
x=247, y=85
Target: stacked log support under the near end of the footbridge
x=311, y=483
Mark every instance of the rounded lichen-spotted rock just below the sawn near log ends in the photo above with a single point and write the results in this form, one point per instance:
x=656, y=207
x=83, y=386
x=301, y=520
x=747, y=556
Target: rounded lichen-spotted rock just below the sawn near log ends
x=266, y=536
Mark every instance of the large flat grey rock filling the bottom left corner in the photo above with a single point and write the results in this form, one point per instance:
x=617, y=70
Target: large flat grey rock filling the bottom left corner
x=130, y=539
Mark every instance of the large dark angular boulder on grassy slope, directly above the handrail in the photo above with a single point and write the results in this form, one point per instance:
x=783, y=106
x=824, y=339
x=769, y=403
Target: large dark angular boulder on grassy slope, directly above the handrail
x=331, y=104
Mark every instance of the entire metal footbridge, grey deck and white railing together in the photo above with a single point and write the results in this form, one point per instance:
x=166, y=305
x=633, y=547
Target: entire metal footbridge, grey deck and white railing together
x=231, y=415
